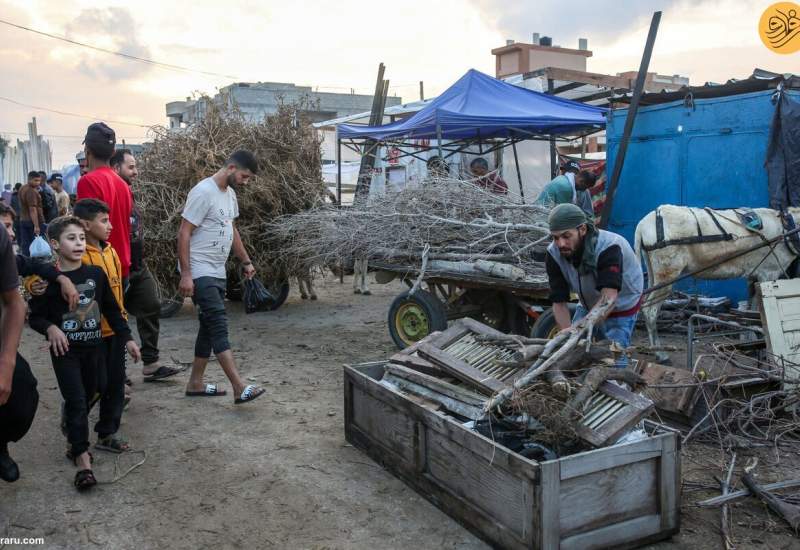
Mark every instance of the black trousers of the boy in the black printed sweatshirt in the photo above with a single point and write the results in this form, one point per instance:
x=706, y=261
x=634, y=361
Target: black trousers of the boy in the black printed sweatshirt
x=77, y=375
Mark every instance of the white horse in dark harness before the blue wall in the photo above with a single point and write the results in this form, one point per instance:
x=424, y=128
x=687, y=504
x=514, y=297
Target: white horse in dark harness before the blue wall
x=676, y=248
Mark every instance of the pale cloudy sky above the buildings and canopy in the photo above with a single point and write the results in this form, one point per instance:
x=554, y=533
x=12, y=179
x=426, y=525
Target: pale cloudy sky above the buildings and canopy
x=332, y=45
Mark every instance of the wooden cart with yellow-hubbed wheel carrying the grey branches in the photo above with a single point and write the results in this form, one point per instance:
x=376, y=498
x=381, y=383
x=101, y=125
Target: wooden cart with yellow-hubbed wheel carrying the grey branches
x=517, y=307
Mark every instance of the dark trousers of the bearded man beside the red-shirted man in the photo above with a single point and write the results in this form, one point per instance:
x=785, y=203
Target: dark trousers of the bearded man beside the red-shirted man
x=141, y=301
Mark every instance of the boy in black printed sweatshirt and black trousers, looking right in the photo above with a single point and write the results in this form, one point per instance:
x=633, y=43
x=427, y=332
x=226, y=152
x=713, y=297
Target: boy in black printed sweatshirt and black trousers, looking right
x=75, y=336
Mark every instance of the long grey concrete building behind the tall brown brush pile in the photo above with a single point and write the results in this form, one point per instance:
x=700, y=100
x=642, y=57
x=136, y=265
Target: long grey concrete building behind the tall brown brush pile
x=258, y=99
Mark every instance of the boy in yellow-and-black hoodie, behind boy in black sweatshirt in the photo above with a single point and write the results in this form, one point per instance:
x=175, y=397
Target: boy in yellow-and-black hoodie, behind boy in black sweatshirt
x=94, y=214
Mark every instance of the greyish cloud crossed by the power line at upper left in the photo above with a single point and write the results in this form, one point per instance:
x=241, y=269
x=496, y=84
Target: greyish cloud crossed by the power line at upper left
x=113, y=29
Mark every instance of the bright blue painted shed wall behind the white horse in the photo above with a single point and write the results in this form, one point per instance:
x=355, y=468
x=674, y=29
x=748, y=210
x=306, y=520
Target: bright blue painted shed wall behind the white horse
x=710, y=153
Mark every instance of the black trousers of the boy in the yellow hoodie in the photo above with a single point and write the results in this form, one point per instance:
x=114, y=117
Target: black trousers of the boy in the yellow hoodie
x=111, y=377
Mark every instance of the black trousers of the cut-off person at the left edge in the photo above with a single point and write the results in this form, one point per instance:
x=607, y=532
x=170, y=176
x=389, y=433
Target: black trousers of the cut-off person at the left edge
x=16, y=416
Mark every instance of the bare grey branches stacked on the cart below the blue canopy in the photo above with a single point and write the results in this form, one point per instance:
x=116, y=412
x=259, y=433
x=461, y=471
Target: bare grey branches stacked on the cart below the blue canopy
x=441, y=223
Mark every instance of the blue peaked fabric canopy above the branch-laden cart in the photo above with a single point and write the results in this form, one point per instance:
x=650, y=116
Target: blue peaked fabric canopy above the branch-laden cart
x=479, y=106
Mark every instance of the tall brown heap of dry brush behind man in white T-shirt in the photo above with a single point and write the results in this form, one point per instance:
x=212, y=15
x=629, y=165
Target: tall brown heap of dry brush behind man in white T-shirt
x=288, y=152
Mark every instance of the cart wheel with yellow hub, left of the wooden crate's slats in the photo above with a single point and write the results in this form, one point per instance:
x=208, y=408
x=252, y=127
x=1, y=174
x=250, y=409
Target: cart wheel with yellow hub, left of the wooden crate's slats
x=412, y=318
